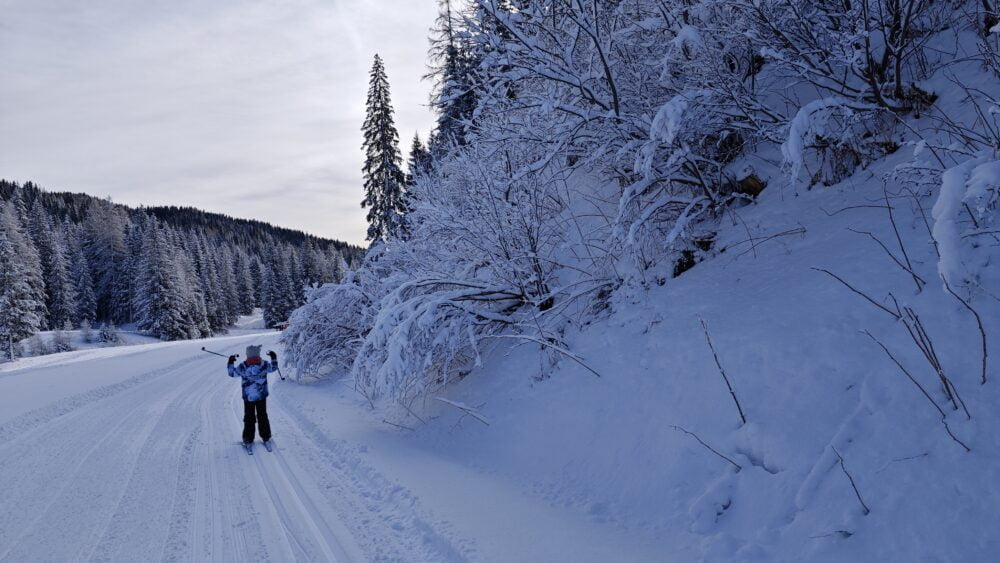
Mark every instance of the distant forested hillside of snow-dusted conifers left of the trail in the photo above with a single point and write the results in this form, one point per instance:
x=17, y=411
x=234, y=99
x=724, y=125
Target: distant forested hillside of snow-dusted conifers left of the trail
x=174, y=272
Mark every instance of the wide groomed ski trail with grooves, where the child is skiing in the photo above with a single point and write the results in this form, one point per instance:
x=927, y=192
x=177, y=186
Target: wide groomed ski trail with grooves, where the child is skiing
x=148, y=467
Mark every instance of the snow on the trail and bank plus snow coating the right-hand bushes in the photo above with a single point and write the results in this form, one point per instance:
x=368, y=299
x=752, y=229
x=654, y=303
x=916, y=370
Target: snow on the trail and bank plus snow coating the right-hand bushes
x=610, y=433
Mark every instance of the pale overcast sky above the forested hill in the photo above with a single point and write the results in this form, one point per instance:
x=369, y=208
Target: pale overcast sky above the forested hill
x=247, y=107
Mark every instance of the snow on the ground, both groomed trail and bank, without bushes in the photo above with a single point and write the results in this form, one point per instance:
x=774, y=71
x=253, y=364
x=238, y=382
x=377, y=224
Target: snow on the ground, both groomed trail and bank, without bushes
x=570, y=467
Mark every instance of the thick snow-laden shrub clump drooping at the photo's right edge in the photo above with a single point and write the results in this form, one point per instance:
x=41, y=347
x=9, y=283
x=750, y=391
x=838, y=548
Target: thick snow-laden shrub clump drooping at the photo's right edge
x=967, y=224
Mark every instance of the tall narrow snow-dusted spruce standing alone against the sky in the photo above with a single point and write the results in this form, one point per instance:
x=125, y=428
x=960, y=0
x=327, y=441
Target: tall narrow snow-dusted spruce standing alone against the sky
x=383, y=176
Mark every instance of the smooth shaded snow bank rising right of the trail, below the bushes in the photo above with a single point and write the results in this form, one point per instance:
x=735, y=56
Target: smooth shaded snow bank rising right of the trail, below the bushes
x=613, y=450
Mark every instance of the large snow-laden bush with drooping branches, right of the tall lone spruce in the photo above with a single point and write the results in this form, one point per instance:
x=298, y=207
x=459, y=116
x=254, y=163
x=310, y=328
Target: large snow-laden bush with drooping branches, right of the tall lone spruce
x=483, y=258
